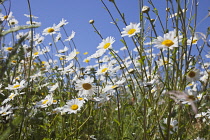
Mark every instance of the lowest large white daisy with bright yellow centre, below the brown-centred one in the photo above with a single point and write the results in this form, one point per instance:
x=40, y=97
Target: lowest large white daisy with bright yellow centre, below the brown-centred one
x=72, y=106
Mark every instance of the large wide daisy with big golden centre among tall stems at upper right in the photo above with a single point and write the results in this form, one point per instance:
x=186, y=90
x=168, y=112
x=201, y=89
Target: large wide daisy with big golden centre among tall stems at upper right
x=169, y=40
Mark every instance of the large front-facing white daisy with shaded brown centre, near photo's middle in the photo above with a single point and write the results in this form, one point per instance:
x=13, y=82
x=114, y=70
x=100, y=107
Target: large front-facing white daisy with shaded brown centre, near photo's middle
x=85, y=87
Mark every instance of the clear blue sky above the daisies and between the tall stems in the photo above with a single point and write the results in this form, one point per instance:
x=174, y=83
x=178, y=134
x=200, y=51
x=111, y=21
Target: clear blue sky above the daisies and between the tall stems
x=79, y=12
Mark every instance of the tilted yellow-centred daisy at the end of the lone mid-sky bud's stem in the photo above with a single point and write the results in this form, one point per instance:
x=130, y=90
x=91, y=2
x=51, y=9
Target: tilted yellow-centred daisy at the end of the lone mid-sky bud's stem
x=106, y=43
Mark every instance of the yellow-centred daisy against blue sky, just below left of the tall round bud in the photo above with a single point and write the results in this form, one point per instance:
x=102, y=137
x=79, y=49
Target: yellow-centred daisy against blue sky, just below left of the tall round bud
x=131, y=30
